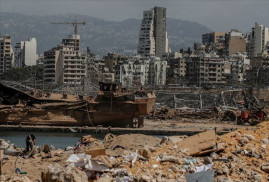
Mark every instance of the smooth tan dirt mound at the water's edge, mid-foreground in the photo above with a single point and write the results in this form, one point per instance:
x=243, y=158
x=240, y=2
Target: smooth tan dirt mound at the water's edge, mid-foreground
x=130, y=142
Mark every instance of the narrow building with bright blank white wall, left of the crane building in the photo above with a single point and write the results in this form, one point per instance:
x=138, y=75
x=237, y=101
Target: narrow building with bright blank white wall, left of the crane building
x=25, y=53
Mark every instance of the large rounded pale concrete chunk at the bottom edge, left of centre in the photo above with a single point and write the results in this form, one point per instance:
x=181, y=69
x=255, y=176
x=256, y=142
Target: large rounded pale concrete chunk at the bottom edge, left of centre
x=57, y=173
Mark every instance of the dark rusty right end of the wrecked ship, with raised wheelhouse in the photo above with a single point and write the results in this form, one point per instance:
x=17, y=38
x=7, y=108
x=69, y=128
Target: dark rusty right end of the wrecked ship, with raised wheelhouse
x=115, y=106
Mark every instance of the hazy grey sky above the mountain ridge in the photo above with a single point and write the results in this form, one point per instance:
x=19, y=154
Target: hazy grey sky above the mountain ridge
x=219, y=15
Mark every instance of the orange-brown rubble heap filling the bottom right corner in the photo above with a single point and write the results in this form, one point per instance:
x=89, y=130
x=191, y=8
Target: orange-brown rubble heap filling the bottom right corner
x=246, y=151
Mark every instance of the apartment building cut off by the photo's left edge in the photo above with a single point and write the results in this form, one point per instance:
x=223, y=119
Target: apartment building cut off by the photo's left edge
x=6, y=54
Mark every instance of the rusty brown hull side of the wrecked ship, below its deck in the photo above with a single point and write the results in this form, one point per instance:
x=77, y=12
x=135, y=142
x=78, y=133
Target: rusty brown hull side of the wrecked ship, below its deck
x=120, y=115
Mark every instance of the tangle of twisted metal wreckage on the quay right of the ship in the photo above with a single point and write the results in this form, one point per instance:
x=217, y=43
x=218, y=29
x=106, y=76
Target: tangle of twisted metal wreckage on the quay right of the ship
x=236, y=106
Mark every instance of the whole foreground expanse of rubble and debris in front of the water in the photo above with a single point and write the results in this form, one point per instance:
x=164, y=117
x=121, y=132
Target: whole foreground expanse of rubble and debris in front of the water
x=241, y=155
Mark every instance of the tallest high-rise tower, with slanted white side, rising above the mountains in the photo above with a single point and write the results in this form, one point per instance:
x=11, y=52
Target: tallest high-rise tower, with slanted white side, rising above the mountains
x=153, y=39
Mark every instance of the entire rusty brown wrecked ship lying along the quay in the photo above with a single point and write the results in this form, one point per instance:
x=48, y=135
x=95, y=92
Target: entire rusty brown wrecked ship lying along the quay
x=113, y=106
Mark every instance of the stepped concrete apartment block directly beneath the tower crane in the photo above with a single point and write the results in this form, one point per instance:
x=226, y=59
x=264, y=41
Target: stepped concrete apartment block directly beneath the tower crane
x=65, y=63
